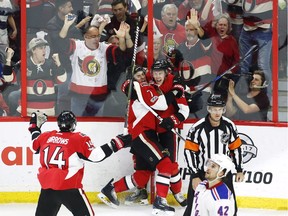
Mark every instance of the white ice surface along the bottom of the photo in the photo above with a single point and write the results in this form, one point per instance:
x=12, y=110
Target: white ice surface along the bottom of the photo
x=103, y=210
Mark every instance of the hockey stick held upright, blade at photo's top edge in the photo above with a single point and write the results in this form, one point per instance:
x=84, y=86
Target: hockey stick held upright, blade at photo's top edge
x=133, y=63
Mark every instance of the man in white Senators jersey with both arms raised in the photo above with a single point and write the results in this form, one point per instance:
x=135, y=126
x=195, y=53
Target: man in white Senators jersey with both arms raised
x=89, y=59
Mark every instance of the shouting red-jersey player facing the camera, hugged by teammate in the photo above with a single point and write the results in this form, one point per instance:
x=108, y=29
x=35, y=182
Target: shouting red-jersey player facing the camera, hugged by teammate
x=173, y=117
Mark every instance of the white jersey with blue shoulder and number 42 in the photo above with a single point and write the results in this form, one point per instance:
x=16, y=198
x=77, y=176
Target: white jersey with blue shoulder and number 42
x=215, y=201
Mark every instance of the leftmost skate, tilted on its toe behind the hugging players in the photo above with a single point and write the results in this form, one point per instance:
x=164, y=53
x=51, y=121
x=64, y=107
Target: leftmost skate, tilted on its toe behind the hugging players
x=109, y=196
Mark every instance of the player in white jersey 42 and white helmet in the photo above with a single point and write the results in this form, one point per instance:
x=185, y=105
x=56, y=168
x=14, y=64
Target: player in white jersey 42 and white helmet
x=212, y=196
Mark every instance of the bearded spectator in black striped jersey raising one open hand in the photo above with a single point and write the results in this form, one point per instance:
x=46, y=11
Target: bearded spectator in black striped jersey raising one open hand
x=195, y=68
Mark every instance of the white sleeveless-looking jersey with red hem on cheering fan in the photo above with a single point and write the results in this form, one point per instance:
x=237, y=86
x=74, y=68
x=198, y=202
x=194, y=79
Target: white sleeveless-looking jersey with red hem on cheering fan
x=89, y=69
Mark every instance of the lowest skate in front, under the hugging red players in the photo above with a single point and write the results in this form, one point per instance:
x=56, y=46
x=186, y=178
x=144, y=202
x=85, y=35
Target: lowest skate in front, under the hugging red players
x=160, y=207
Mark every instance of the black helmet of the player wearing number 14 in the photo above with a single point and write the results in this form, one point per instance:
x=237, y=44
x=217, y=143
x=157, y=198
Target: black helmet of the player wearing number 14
x=67, y=121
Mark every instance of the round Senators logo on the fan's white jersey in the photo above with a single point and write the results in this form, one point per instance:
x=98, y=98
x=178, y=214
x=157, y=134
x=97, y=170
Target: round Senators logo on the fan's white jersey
x=89, y=66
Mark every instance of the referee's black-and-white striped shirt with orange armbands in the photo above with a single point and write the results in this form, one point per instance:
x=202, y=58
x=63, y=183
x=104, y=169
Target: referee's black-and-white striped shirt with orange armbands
x=204, y=140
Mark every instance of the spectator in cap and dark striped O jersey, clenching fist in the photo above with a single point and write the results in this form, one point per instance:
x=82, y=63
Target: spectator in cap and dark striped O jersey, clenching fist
x=42, y=77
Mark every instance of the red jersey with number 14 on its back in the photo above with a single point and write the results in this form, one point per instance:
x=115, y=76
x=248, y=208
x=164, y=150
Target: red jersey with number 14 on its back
x=62, y=157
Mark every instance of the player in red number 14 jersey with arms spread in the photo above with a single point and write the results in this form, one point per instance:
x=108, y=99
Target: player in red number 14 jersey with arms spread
x=62, y=157
